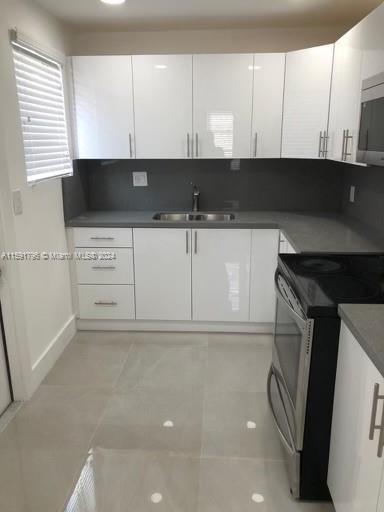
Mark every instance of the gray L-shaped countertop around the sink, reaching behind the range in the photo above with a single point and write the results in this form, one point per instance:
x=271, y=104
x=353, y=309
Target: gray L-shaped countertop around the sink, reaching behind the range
x=307, y=232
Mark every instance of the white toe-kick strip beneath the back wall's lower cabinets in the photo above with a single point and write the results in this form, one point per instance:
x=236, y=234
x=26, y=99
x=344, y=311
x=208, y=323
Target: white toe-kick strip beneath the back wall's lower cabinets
x=139, y=325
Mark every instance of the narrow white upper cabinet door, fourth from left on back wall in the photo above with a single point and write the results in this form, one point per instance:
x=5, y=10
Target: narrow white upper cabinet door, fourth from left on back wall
x=268, y=90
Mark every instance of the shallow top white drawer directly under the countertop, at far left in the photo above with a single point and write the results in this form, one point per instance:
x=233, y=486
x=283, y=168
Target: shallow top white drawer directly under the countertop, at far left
x=102, y=237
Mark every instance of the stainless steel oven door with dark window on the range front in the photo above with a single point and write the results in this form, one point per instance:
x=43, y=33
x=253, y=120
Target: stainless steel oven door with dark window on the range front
x=291, y=356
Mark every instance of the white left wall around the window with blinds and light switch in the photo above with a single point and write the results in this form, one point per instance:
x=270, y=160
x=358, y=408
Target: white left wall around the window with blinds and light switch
x=39, y=293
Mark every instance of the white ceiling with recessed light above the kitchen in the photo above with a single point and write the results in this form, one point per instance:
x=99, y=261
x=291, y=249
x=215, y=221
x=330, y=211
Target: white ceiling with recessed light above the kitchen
x=158, y=14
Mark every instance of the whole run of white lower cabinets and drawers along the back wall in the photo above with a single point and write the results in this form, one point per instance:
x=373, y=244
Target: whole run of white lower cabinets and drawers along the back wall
x=177, y=274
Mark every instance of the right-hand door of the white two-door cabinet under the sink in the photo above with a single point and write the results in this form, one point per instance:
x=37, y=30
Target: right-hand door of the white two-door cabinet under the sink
x=220, y=274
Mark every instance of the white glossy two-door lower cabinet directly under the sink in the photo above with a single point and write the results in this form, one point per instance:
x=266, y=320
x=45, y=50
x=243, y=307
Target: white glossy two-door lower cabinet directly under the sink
x=210, y=267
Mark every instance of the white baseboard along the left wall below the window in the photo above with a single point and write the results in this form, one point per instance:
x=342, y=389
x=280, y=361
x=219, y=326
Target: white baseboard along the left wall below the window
x=43, y=365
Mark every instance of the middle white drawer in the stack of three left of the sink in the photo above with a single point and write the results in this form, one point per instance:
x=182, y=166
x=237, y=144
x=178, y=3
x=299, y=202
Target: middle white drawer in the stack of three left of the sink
x=116, y=271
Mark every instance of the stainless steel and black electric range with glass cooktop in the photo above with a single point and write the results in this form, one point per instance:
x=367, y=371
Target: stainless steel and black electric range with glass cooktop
x=302, y=375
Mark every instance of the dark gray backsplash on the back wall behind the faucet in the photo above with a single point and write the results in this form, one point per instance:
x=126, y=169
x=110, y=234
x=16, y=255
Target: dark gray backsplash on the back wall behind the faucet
x=274, y=184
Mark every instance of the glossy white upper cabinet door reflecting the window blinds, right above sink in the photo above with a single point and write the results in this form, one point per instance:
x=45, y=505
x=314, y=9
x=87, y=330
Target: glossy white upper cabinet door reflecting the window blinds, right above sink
x=222, y=105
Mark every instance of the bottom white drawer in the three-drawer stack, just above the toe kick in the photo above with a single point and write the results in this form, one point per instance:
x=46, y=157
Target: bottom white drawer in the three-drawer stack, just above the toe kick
x=106, y=302
